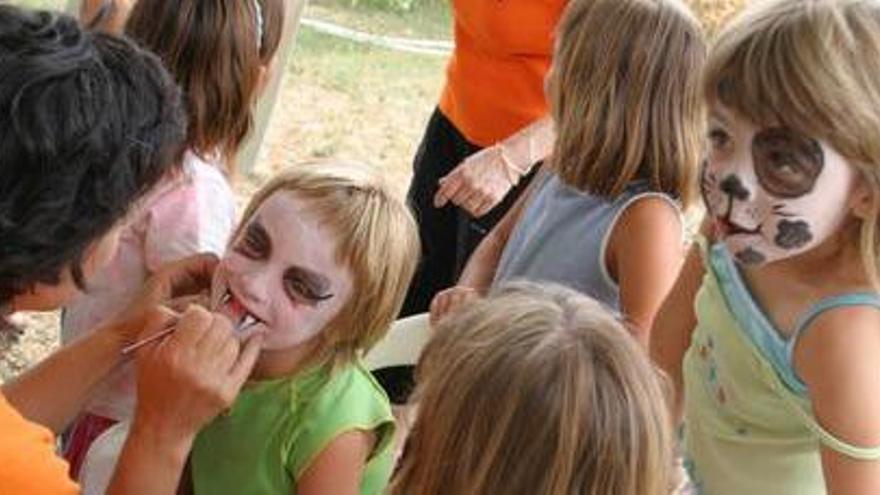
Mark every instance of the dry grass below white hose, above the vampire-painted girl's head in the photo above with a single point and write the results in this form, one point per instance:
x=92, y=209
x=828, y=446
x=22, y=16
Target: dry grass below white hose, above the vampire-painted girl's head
x=355, y=101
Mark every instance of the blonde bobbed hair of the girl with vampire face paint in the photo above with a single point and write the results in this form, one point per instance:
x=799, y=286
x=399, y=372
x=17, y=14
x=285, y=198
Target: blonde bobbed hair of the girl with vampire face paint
x=377, y=239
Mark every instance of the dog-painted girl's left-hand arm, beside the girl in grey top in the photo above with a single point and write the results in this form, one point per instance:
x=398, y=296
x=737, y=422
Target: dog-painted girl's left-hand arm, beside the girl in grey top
x=674, y=322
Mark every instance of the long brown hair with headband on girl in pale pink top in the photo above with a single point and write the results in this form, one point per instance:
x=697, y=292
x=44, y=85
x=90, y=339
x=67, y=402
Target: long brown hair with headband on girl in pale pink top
x=216, y=50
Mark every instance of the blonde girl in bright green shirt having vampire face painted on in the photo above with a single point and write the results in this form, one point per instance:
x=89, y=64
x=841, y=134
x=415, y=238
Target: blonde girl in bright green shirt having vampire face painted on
x=321, y=262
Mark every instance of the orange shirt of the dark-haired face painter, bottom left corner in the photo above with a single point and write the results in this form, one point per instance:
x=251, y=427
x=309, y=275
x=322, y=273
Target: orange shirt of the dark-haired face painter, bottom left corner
x=28, y=464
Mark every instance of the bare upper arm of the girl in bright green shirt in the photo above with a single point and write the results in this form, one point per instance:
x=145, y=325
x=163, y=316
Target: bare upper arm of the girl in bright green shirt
x=338, y=469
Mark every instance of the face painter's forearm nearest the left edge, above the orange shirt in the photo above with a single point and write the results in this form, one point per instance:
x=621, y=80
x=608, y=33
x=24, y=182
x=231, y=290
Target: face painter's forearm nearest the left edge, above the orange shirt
x=54, y=391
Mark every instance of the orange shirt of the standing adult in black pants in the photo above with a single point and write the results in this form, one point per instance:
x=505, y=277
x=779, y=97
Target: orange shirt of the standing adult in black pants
x=495, y=78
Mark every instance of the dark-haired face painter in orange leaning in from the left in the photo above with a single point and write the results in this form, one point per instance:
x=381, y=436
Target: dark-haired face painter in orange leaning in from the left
x=88, y=123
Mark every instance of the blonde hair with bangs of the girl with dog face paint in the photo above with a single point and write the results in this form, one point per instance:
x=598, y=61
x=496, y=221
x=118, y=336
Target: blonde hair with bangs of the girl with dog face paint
x=814, y=67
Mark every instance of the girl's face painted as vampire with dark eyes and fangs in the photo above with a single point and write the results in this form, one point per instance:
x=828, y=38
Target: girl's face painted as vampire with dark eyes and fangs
x=281, y=270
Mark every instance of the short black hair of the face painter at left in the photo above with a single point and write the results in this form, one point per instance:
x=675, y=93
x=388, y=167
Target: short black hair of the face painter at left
x=88, y=123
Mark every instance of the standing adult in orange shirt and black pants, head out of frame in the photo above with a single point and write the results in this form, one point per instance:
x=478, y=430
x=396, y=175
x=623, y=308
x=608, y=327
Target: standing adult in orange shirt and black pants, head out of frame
x=493, y=101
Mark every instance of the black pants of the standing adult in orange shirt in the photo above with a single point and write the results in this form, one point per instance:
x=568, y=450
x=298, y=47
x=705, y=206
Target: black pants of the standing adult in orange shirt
x=449, y=235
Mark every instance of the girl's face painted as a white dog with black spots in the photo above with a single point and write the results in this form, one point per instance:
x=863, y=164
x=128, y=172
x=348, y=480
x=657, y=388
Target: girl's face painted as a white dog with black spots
x=771, y=192
